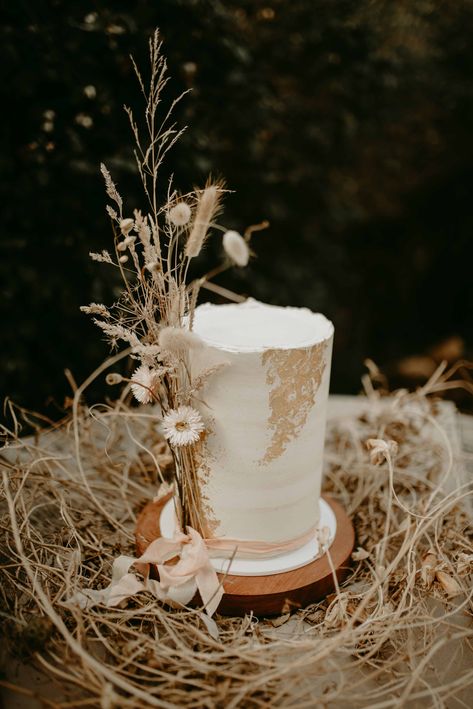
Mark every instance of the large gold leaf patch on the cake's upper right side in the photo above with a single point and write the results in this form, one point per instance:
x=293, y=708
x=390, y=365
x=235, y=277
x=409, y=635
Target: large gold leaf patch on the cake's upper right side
x=294, y=377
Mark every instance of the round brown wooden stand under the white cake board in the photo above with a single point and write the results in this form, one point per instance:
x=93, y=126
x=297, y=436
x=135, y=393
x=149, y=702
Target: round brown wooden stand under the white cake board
x=276, y=593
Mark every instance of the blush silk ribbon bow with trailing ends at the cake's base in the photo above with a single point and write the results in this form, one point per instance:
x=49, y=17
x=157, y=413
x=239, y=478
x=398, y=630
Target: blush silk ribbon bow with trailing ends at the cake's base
x=177, y=583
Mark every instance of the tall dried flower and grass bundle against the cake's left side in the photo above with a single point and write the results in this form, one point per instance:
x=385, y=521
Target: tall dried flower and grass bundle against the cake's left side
x=154, y=316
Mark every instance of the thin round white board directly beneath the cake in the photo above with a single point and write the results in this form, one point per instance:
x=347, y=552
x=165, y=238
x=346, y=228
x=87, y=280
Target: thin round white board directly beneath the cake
x=265, y=567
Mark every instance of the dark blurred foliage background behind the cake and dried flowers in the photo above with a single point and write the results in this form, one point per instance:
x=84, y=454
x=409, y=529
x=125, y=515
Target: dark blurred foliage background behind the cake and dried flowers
x=348, y=125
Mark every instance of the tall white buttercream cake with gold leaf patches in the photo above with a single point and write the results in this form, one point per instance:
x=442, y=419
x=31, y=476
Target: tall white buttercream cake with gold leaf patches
x=261, y=460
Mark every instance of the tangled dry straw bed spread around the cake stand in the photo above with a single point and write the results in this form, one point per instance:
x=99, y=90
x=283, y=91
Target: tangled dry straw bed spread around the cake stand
x=398, y=633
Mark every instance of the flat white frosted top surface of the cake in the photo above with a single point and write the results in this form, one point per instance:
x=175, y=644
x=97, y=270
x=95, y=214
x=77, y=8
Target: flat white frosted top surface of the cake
x=254, y=327
